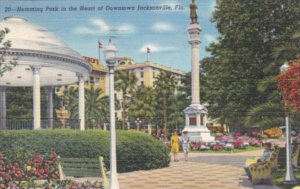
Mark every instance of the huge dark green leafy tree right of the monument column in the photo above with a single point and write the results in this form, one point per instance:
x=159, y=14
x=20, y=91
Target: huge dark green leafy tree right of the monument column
x=250, y=31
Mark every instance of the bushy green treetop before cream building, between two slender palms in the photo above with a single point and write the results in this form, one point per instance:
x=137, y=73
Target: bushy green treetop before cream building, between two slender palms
x=143, y=104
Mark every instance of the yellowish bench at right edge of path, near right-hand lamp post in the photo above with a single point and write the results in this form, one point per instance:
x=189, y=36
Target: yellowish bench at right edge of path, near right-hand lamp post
x=260, y=172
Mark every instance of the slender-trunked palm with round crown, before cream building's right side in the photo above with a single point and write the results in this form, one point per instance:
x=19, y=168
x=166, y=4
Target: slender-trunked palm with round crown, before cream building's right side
x=164, y=87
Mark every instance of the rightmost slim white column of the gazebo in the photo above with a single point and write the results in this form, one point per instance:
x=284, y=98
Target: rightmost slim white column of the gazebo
x=81, y=101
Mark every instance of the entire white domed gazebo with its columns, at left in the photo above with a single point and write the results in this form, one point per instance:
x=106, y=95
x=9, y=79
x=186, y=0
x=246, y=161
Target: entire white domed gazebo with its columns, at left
x=43, y=60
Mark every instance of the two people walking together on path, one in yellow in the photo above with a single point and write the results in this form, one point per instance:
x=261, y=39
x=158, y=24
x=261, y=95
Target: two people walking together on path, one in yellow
x=184, y=140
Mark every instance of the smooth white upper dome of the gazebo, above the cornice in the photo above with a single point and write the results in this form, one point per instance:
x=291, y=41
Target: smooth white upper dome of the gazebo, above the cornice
x=24, y=35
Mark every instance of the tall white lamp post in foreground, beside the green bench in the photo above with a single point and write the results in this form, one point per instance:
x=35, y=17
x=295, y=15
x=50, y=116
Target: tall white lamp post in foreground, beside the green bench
x=110, y=58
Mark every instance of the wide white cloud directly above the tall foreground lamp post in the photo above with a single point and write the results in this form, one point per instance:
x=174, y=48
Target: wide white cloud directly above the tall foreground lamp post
x=98, y=26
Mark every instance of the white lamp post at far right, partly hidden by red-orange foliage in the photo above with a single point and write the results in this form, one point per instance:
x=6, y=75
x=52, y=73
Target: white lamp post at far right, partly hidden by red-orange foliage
x=289, y=175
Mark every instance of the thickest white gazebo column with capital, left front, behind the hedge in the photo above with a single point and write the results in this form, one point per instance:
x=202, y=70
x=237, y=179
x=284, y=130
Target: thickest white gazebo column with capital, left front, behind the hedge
x=36, y=97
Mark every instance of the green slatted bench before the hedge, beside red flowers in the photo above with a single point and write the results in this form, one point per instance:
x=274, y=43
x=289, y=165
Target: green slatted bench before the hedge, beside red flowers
x=83, y=167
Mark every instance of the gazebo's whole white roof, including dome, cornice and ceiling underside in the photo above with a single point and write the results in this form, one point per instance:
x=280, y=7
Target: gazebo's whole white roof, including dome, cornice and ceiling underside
x=35, y=46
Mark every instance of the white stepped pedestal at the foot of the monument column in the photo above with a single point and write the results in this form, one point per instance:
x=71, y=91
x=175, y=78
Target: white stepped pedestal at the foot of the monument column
x=195, y=116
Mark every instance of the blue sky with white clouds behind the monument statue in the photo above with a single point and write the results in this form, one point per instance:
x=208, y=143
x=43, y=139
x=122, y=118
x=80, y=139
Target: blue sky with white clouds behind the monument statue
x=163, y=31
